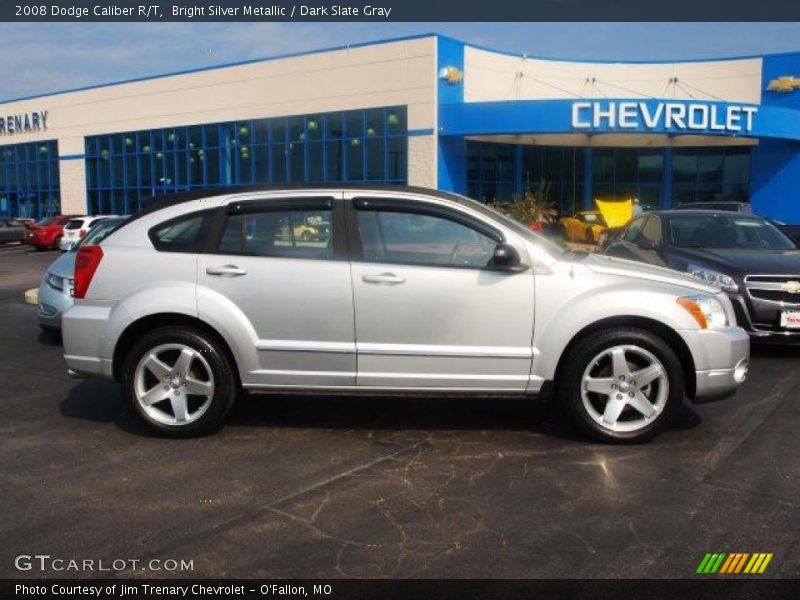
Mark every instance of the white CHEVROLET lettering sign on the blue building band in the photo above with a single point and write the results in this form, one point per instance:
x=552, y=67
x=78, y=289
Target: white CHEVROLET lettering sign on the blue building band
x=663, y=116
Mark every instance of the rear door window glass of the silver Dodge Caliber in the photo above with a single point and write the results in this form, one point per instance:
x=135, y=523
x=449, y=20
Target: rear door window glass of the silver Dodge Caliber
x=290, y=234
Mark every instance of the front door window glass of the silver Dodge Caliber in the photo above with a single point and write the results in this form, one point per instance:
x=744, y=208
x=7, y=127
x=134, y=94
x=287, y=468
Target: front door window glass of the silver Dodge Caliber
x=415, y=238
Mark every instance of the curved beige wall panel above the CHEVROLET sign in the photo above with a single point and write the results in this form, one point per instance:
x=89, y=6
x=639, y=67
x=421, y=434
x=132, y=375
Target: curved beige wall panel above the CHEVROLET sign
x=491, y=76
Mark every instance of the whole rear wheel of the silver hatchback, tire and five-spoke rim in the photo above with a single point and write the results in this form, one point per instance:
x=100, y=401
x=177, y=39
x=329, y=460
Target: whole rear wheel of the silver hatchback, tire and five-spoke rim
x=180, y=381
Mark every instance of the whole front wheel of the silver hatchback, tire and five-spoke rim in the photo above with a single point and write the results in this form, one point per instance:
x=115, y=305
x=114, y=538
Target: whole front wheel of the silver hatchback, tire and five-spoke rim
x=622, y=385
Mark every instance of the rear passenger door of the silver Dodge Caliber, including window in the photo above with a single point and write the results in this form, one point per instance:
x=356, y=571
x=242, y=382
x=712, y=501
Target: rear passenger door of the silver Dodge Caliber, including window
x=294, y=290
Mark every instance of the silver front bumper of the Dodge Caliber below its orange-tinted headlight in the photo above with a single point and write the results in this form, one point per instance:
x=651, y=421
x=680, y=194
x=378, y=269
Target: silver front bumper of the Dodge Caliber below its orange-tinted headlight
x=721, y=359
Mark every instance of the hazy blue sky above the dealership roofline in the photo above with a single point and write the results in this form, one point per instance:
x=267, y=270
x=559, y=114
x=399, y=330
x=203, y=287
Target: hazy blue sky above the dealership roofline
x=42, y=58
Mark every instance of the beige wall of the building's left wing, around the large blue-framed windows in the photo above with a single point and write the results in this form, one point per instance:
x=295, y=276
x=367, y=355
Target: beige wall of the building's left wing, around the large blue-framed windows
x=394, y=73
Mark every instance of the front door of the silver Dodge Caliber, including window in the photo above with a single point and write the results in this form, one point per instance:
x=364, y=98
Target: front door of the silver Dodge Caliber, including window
x=429, y=312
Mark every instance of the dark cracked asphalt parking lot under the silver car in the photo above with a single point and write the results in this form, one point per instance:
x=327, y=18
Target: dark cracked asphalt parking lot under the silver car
x=320, y=487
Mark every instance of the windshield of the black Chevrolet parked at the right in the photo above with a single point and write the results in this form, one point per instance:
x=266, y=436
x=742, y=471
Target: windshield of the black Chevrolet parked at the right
x=727, y=231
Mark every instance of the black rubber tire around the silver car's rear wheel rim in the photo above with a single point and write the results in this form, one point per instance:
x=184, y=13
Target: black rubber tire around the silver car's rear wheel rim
x=226, y=385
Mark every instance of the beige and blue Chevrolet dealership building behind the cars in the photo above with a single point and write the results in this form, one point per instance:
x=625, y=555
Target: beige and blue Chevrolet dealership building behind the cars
x=426, y=110
